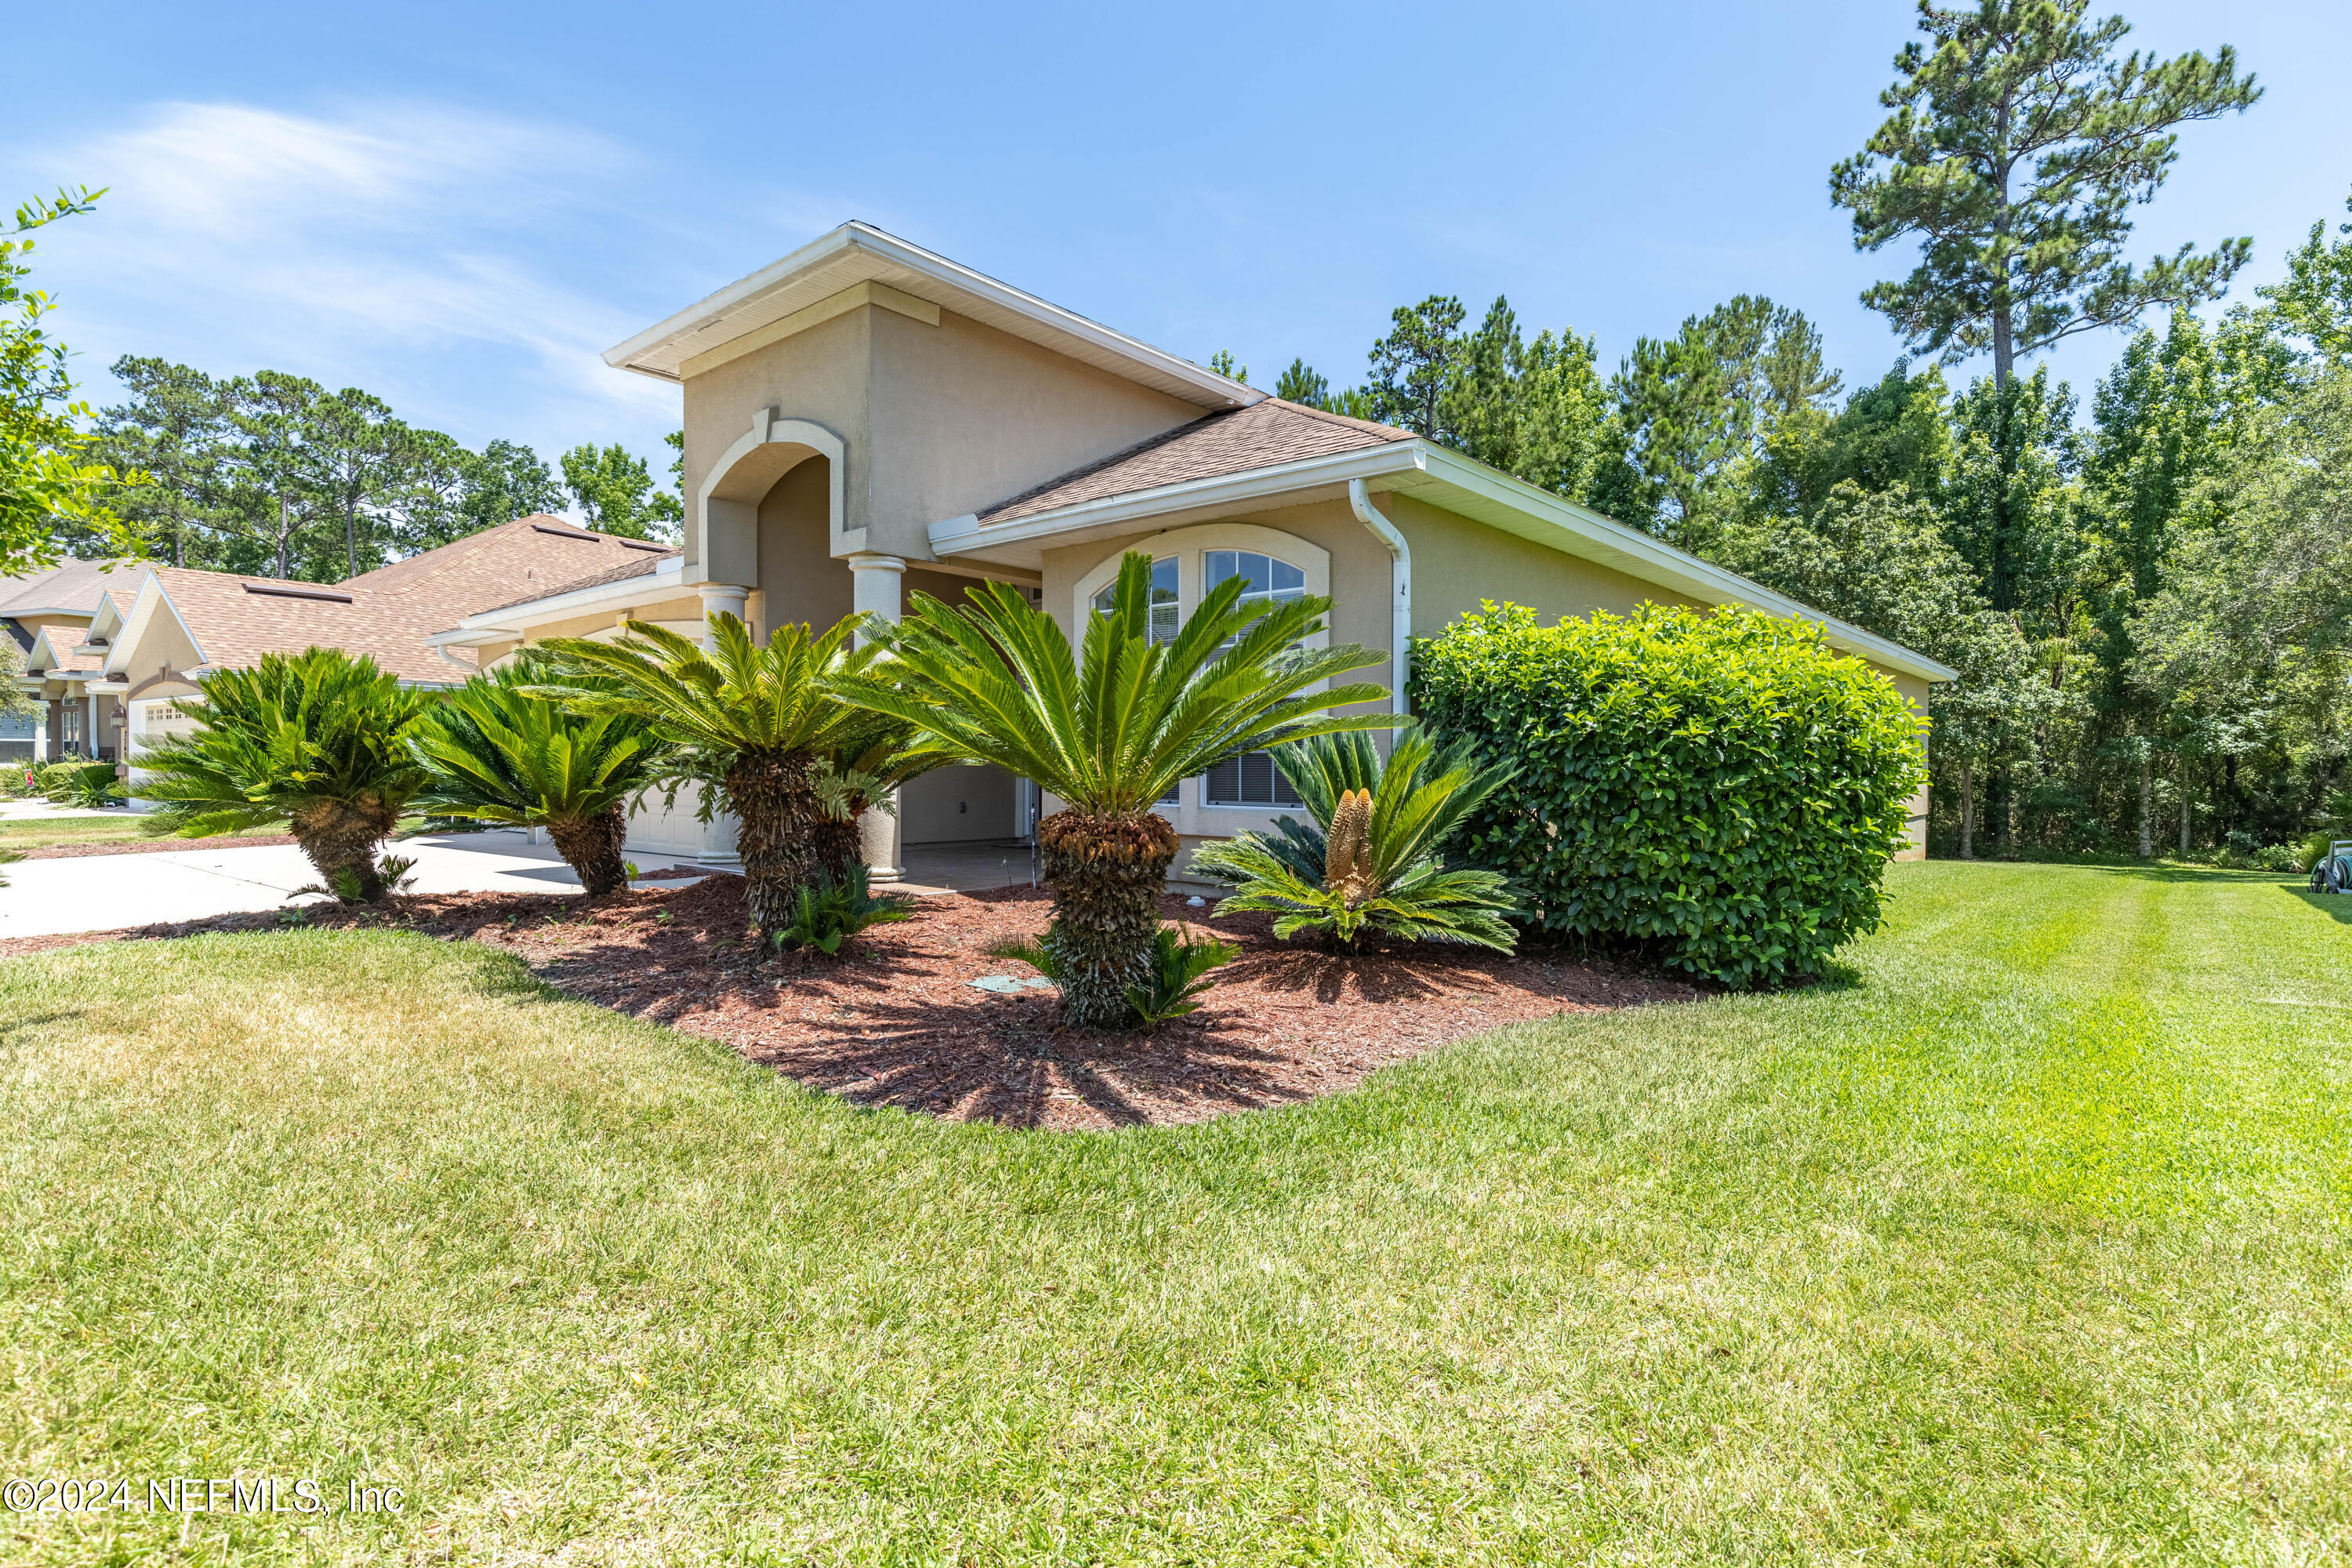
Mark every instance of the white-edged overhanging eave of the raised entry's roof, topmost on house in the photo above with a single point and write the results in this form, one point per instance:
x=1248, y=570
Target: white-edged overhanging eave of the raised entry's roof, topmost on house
x=857, y=255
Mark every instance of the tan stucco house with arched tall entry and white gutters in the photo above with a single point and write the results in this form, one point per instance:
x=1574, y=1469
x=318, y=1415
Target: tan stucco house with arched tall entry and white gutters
x=867, y=420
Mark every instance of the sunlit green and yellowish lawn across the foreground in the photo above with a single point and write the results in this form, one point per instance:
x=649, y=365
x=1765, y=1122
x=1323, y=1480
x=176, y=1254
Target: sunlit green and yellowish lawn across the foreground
x=2026, y=1249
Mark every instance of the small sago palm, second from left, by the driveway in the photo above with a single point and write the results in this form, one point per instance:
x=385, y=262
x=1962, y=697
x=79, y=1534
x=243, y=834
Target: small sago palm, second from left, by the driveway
x=497, y=751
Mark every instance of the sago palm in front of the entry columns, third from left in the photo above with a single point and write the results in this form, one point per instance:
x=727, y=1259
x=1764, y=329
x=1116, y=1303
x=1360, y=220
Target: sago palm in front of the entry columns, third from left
x=761, y=728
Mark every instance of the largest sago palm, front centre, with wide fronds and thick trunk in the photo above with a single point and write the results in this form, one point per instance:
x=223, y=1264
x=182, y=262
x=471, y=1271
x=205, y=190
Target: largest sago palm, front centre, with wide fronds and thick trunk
x=1111, y=730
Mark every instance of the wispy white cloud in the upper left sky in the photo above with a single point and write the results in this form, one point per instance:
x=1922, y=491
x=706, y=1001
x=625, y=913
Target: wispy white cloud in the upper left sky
x=413, y=250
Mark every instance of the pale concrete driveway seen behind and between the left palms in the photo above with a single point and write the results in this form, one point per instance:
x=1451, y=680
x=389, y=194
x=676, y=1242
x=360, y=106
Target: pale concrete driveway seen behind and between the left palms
x=138, y=890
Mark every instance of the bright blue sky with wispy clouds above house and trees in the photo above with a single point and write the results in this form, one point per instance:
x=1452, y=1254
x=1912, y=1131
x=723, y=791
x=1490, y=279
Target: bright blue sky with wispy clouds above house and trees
x=457, y=206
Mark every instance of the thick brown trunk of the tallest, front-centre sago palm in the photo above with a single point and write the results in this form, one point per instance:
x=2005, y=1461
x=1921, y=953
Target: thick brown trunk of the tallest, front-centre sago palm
x=1107, y=876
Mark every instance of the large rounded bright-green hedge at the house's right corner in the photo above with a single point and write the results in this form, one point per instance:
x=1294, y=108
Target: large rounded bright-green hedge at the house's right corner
x=1718, y=784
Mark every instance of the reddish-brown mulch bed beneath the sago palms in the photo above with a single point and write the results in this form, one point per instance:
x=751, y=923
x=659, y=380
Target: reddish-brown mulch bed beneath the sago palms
x=893, y=1019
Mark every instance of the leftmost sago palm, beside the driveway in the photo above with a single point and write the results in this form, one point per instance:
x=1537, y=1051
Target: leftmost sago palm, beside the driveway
x=316, y=742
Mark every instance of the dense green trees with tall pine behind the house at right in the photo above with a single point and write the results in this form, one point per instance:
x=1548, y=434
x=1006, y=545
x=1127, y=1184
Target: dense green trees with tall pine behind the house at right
x=2146, y=598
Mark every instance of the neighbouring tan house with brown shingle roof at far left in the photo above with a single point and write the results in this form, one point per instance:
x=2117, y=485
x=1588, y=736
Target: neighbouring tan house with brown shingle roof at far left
x=121, y=678
